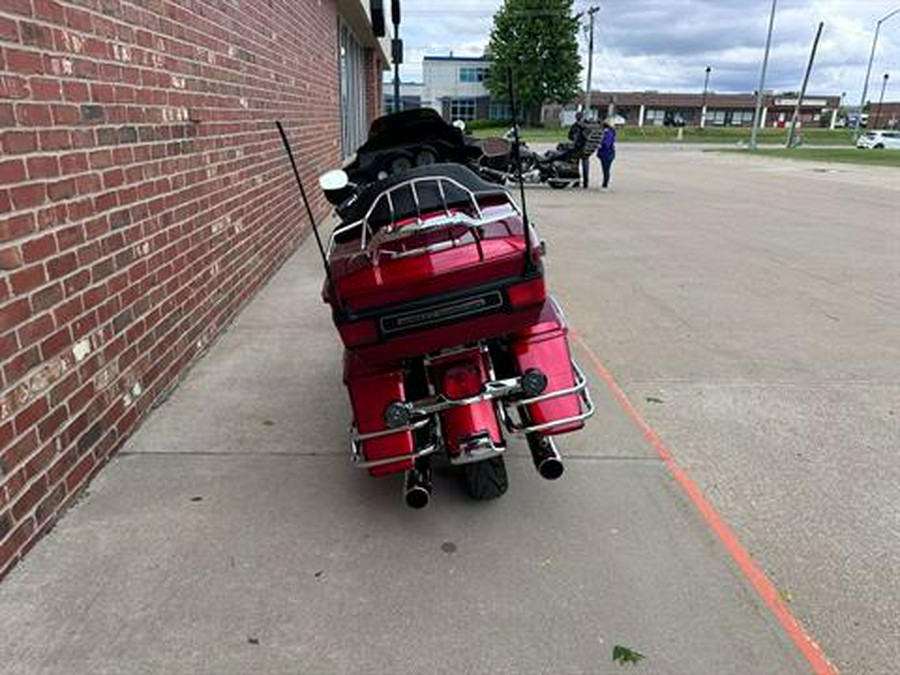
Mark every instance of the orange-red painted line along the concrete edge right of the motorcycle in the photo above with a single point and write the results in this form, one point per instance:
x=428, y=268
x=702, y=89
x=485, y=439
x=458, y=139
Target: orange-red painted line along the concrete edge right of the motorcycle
x=755, y=576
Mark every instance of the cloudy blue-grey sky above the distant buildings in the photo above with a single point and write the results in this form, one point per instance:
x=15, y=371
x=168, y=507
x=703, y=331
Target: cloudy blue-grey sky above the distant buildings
x=667, y=44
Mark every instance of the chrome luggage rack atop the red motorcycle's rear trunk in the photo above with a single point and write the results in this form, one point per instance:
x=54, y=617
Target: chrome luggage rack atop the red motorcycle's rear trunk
x=469, y=216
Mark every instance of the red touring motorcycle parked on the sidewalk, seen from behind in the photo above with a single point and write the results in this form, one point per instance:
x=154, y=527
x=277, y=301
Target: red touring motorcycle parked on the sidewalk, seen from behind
x=437, y=289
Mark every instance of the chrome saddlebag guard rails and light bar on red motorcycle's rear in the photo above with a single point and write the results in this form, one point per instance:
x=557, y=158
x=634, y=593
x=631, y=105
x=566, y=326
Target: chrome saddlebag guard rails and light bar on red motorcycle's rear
x=422, y=411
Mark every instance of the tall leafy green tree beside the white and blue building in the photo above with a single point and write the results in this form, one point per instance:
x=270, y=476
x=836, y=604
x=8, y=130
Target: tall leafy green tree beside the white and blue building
x=537, y=40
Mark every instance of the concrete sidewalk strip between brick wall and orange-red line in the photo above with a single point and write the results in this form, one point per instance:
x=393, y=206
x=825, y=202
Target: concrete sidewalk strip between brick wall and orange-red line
x=231, y=535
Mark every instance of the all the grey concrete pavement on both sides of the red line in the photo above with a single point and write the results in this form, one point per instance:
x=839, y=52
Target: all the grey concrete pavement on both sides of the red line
x=748, y=310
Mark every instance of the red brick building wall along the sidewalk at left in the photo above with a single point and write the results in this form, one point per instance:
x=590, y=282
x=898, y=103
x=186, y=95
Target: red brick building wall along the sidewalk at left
x=144, y=198
